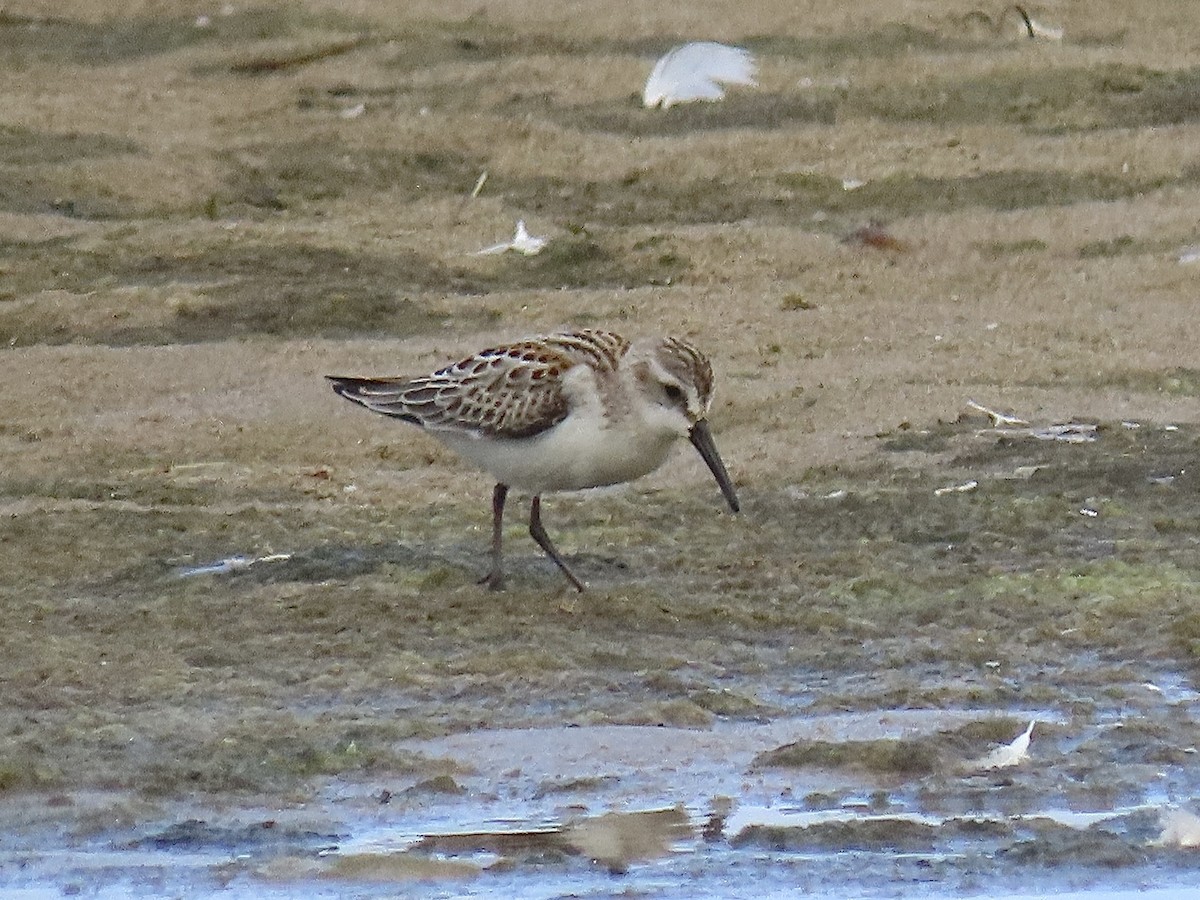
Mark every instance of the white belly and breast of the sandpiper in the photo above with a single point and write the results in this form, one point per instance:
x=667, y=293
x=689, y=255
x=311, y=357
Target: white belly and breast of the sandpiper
x=580, y=452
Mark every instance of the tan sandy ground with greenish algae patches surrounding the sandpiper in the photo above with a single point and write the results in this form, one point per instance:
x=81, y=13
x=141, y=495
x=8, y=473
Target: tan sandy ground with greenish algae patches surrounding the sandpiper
x=205, y=209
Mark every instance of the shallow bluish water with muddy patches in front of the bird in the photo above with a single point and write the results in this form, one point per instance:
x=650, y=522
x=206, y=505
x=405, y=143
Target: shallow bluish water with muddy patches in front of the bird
x=662, y=812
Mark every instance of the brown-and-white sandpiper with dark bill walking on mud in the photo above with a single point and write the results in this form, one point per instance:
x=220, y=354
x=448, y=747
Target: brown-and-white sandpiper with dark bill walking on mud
x=561, y=412
